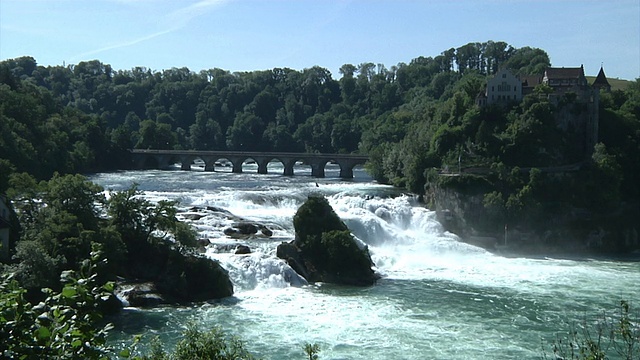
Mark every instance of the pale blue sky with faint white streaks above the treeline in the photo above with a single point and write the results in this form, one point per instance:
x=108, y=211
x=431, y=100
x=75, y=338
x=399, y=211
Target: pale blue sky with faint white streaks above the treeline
x=248, y=35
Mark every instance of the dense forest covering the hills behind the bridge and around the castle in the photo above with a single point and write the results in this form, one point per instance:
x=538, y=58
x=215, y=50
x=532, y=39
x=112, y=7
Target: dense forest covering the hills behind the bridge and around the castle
x=413, y=119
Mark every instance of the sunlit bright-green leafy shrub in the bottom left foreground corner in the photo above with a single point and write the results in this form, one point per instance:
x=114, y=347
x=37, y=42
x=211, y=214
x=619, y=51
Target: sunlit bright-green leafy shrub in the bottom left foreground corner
x=65, y=325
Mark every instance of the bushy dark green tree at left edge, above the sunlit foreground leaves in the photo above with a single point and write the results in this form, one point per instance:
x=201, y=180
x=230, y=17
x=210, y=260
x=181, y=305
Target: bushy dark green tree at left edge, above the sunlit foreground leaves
x=60, y=220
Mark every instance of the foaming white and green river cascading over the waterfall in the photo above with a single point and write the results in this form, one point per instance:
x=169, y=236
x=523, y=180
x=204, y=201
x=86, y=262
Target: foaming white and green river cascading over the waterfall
x=438, y=298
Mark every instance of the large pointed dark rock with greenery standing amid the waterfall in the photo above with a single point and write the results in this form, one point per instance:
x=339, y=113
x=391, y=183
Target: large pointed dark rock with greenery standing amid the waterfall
x=324, y=250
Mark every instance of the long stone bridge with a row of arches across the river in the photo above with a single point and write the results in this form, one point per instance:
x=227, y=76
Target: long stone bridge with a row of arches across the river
x=164, y=158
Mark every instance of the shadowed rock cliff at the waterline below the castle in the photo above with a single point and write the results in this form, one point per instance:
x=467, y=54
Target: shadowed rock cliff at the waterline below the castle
x=564, y=229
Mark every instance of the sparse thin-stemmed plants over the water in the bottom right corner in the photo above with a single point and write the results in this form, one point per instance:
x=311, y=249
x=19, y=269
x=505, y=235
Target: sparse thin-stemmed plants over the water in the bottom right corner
x=611, y=336
